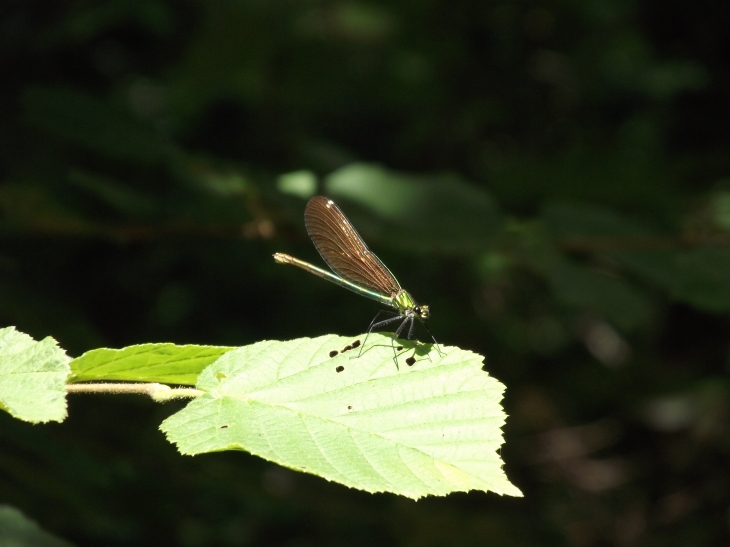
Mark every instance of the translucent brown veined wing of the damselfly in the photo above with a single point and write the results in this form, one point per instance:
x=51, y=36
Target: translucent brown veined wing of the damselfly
x=343, y=249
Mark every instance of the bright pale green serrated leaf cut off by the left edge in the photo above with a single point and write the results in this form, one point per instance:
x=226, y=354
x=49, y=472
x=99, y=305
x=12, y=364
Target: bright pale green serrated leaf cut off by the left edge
x=32, y=377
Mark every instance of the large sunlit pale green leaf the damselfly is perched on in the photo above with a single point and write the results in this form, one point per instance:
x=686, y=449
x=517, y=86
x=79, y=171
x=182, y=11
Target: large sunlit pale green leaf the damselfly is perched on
x=429, y=429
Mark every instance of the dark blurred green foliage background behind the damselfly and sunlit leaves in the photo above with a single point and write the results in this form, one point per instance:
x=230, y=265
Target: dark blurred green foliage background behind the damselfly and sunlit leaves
x=553, y=177
